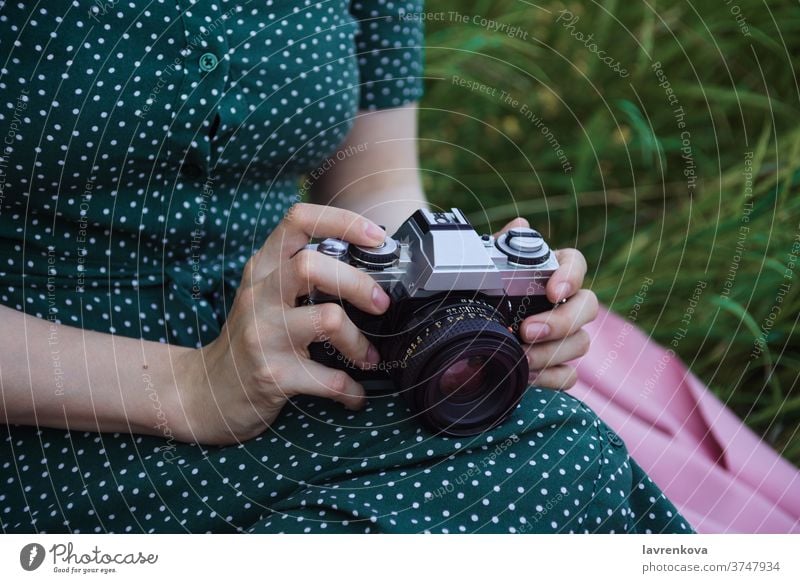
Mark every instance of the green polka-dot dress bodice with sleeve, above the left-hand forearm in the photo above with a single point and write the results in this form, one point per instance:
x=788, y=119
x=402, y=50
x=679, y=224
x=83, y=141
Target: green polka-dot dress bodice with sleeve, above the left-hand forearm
x=158, y=144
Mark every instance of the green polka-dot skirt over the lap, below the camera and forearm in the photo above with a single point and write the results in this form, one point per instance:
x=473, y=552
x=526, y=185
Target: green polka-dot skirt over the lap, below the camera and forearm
x=554, y=466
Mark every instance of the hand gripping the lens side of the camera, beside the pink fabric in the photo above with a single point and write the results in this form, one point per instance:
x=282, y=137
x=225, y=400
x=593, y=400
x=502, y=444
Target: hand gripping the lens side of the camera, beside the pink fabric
x=556, y=337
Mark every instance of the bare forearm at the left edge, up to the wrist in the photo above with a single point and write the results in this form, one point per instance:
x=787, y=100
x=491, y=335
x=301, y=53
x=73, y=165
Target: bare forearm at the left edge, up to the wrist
x=58, y=376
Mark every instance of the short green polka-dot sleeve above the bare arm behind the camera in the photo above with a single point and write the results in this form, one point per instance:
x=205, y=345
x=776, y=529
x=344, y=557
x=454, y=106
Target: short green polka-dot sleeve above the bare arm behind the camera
x=389, y=49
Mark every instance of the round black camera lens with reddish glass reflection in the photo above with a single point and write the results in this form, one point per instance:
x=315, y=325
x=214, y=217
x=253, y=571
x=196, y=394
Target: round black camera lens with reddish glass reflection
x=464, y=371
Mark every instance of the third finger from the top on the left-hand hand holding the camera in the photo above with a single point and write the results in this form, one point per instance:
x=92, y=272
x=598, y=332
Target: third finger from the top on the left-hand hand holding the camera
x=329, y=323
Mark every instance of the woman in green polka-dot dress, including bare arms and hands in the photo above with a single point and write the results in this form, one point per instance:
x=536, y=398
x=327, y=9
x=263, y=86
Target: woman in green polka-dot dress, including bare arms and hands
x=154, y=367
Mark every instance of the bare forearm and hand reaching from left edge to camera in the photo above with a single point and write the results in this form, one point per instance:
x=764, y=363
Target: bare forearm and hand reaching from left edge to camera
x=228, y=391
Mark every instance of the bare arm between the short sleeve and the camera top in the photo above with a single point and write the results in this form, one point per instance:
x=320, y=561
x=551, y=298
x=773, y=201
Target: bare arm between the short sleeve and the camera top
x=376, y=170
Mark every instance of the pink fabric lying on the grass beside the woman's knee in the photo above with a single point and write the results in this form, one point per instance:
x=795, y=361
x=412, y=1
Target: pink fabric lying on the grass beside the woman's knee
x=720, y=475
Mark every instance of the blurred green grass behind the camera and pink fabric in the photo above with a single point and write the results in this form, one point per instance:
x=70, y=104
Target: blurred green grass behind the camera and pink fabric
x=627, y=201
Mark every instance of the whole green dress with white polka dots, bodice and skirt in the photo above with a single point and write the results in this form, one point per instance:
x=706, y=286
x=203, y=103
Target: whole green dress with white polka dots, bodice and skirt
x=149, y=148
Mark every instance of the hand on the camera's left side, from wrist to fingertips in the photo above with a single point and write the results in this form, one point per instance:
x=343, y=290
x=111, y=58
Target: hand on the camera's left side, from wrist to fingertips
x=233, y=388
